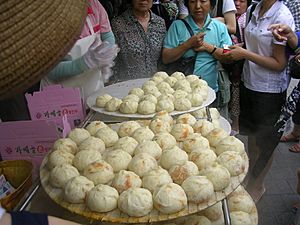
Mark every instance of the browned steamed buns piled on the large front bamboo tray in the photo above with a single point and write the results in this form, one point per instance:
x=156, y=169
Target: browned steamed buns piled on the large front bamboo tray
x=163, y=164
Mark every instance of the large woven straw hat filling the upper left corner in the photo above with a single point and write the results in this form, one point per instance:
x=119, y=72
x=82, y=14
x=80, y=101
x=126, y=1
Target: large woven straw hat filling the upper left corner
x=34, y=36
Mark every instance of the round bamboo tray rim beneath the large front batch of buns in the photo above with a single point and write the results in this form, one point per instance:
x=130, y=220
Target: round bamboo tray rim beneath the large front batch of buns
x=117, y=216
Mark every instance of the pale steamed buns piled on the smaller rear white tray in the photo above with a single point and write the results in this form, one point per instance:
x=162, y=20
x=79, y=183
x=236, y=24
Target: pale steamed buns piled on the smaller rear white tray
x=161, y=92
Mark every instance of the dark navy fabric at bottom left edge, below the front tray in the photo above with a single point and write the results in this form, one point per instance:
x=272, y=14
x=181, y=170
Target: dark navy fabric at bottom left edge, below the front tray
x=27, y=218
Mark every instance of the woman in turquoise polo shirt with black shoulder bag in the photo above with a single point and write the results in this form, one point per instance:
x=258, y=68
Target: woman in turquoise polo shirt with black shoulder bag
x=206, y=45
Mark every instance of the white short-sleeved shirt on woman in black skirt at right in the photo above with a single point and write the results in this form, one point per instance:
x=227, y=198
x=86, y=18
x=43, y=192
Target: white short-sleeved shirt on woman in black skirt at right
x=259, y=40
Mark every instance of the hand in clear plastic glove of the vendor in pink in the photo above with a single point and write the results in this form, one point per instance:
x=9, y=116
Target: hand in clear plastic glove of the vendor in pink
x=100, y=54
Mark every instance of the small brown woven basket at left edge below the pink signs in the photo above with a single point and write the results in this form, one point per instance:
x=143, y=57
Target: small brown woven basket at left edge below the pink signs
x=19, y=174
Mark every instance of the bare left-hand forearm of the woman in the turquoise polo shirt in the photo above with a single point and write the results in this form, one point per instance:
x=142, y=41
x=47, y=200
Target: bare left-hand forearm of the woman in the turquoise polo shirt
x=170, y=55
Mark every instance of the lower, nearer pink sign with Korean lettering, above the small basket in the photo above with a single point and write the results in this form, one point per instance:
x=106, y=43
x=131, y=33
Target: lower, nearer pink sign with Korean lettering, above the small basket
x=29, y=140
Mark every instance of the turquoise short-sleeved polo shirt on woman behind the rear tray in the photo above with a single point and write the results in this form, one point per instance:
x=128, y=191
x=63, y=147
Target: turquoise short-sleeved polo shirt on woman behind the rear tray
x=216, y=34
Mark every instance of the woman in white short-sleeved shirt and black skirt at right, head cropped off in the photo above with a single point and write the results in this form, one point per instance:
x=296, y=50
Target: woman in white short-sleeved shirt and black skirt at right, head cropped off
x=263, y=88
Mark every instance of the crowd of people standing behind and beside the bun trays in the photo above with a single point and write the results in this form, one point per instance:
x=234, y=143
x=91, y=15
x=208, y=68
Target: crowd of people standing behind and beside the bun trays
x=136, y=42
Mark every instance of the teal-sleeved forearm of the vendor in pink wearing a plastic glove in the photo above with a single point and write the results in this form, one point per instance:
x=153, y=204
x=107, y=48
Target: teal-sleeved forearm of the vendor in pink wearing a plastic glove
x=66, y=69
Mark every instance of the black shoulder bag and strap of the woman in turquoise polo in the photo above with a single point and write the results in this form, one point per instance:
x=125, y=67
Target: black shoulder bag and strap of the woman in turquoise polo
x=184, y=65
